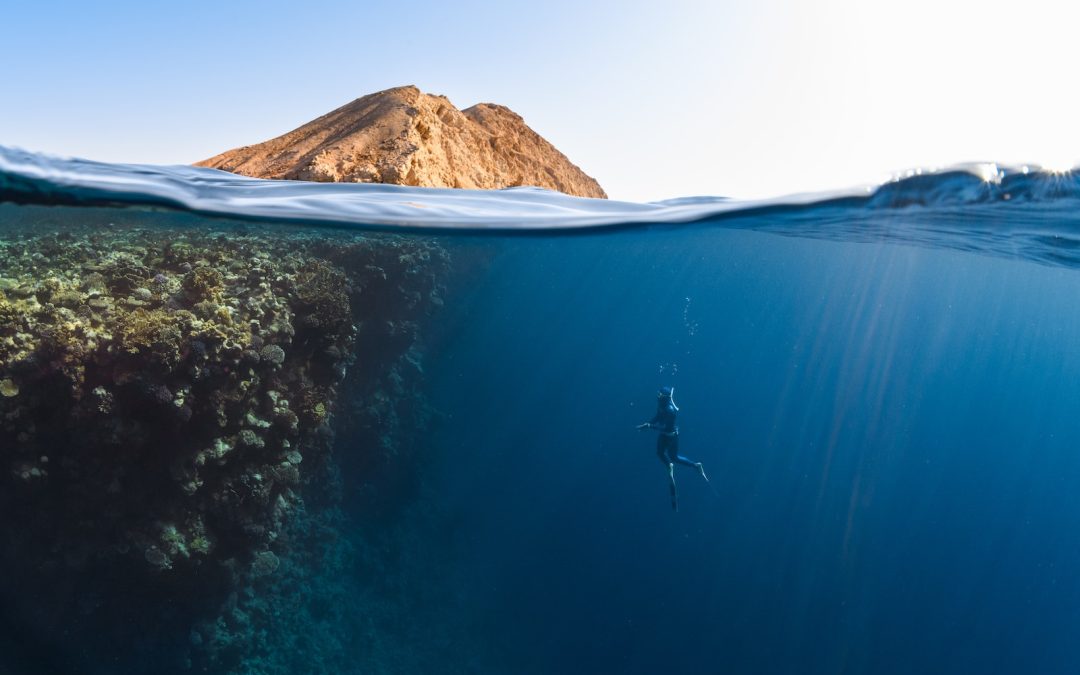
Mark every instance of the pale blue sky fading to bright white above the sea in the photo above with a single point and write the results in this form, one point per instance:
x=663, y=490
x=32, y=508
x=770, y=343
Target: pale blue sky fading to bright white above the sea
x=744, y=99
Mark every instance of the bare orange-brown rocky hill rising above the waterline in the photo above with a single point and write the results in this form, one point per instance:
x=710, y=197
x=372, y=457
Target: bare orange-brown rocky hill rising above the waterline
x=404, y=137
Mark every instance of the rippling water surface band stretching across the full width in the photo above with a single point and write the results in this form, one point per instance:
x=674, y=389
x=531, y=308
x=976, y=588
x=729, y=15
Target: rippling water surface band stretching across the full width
x=1020, y=212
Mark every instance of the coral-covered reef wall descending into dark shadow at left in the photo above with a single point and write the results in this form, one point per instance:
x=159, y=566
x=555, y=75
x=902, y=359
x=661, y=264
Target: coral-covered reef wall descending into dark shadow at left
x=171, y=389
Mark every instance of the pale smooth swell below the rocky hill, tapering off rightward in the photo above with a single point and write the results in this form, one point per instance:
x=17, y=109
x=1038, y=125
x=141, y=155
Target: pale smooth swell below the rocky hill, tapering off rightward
x=33, y=179
